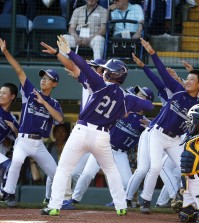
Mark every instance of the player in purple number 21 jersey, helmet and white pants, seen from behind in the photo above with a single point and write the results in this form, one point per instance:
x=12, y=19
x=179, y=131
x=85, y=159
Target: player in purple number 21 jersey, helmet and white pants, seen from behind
x=107, y=104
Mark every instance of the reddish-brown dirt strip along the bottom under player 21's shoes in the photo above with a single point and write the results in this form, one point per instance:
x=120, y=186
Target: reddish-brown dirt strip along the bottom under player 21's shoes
x=83, y=216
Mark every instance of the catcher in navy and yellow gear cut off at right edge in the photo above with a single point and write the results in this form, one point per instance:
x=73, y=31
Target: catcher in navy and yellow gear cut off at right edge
x=190, y=169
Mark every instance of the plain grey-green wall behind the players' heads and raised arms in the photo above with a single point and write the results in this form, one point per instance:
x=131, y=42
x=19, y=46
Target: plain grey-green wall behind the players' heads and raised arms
x=68, y=87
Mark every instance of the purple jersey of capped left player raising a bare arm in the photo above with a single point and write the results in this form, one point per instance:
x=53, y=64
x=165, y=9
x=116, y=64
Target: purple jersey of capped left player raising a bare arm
x=35, y=118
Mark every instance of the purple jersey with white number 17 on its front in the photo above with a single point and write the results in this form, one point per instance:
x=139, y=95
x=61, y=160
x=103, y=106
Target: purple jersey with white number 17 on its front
x=126, y=132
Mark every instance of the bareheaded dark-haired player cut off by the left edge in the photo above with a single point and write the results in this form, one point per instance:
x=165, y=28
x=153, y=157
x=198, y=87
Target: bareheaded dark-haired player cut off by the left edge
x=8, y=125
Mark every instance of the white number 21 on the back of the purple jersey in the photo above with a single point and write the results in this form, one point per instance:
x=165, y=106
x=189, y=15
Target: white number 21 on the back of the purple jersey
x=106, y=103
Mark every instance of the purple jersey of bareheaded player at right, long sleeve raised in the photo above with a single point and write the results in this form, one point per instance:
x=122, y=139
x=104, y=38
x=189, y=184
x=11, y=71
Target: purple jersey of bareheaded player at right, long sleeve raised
x=173, y=116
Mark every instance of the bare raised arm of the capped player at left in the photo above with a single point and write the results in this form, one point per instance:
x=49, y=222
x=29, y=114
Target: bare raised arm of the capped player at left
x=17, y=67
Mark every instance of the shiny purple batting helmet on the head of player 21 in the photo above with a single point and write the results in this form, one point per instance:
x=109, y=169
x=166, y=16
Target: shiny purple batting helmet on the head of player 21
x=117, y=70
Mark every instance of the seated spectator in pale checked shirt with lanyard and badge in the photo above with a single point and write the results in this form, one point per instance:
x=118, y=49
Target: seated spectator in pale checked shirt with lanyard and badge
x=88, y=27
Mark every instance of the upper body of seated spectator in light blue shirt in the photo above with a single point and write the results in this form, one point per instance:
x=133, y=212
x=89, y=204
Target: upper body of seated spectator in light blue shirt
x=122, y=9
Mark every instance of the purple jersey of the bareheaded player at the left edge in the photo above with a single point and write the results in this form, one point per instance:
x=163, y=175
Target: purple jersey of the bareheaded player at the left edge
x=5, y=130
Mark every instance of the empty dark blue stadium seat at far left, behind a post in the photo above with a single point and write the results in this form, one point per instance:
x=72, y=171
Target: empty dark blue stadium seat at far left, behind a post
x=21, y=34
